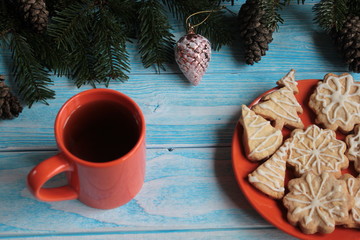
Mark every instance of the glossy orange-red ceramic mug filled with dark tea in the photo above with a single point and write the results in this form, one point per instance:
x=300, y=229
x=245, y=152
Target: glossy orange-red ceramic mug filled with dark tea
x=101, y=137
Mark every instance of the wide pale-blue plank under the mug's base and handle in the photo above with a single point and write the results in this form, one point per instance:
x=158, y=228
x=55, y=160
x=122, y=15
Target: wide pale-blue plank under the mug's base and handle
x=184, y=189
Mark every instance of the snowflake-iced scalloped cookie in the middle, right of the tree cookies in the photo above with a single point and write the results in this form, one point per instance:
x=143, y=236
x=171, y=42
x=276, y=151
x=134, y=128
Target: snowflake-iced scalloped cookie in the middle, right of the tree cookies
x=316, y=150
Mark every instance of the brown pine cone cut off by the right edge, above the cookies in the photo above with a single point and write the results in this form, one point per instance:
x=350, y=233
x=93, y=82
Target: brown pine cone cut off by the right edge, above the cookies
x=347, y=40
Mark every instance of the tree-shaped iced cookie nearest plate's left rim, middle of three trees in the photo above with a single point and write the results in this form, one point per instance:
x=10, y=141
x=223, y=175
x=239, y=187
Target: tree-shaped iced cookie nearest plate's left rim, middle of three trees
x=260, y=138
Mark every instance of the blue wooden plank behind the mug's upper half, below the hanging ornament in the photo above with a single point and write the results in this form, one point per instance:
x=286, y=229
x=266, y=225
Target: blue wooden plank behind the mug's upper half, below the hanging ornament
x=177, y=114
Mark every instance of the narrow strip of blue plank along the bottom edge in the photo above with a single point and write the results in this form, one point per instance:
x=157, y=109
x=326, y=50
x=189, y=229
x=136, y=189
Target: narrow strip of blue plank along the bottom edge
x=228, y=234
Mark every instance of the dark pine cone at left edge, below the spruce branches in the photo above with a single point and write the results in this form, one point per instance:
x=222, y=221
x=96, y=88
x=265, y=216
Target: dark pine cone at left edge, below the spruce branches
x=9, y=104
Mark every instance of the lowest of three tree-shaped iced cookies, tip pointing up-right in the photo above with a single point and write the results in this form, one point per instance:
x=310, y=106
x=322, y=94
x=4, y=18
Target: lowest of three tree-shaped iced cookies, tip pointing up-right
x=269, y=177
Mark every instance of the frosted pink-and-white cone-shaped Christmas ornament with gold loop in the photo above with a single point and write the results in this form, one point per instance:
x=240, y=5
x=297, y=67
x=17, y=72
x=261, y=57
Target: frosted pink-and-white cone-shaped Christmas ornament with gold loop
x=192, y=54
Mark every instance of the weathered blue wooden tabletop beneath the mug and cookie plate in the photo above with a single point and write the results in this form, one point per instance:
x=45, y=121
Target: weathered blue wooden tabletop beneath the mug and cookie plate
x=190, y=191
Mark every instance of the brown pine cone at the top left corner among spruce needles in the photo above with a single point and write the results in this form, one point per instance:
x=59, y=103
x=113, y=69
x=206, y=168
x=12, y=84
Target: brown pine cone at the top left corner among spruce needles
x=35, y=14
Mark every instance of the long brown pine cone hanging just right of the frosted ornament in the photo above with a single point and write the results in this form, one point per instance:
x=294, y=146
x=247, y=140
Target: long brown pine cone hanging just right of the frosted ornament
x=255, y=34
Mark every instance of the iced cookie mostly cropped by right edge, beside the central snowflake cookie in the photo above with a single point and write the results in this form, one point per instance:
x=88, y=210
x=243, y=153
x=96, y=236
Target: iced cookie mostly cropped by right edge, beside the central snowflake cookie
x=353, y=151
